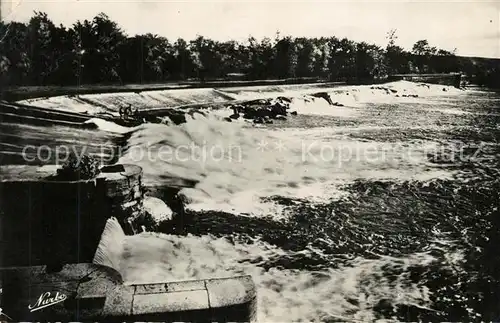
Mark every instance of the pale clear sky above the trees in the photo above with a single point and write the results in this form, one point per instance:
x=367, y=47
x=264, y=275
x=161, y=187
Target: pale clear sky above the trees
x=473, y=27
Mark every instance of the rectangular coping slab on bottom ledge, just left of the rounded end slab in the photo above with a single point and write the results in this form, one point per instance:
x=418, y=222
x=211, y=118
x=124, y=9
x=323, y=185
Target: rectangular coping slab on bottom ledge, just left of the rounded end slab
x=170, y=302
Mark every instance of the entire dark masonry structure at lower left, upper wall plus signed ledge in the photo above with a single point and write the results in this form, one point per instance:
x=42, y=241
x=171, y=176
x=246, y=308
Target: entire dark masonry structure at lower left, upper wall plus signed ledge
x=62, y=251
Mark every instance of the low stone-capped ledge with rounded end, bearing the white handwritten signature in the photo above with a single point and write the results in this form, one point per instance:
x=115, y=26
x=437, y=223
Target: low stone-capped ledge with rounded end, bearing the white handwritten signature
x=97, y=293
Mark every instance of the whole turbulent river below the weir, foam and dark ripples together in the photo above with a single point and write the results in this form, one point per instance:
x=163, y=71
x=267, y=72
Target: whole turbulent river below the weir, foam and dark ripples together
x=385, y=208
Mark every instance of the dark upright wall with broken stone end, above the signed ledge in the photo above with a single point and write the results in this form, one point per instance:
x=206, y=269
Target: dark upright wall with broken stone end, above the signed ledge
x=50, y=221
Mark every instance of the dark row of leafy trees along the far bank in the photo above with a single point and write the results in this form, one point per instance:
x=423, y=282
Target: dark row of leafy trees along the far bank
x=99, y=52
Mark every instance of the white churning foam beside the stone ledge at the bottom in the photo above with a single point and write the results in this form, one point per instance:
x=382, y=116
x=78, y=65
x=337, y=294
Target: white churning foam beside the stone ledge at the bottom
x=347, y=293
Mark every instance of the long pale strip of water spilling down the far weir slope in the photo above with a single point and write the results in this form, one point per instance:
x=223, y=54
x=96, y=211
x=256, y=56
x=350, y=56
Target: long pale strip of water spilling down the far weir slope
x=350, y=96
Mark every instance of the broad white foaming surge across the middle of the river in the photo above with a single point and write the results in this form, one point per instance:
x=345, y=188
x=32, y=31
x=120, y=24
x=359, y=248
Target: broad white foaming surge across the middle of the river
x=236, y=165
